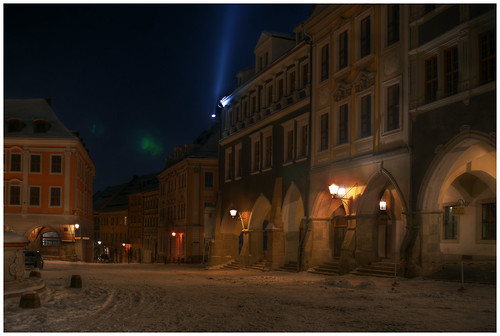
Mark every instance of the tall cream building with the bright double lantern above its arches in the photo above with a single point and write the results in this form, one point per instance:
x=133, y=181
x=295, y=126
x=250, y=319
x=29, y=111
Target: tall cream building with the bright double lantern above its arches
x=360, y=134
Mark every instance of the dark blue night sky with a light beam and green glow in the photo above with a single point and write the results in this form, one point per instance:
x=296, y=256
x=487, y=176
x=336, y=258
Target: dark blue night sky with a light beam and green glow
x=134, y=80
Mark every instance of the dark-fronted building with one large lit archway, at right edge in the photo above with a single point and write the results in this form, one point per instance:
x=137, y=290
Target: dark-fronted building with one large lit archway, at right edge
x=453, y=109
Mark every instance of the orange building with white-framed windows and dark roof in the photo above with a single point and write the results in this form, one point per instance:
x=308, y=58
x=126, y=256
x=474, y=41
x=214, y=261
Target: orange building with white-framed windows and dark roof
x=48, y=181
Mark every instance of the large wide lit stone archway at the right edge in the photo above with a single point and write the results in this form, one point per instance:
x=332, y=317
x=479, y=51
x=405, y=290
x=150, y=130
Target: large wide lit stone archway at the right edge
x=463, y=169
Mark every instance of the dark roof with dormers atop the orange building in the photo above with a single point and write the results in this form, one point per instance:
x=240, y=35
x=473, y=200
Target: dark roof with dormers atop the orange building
x=32, y=118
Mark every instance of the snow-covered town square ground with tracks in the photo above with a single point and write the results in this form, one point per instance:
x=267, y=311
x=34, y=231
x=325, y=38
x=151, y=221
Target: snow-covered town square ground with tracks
x=180, y=298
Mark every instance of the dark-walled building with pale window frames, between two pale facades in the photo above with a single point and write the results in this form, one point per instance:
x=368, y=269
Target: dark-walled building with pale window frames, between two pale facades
x=264, y=156
